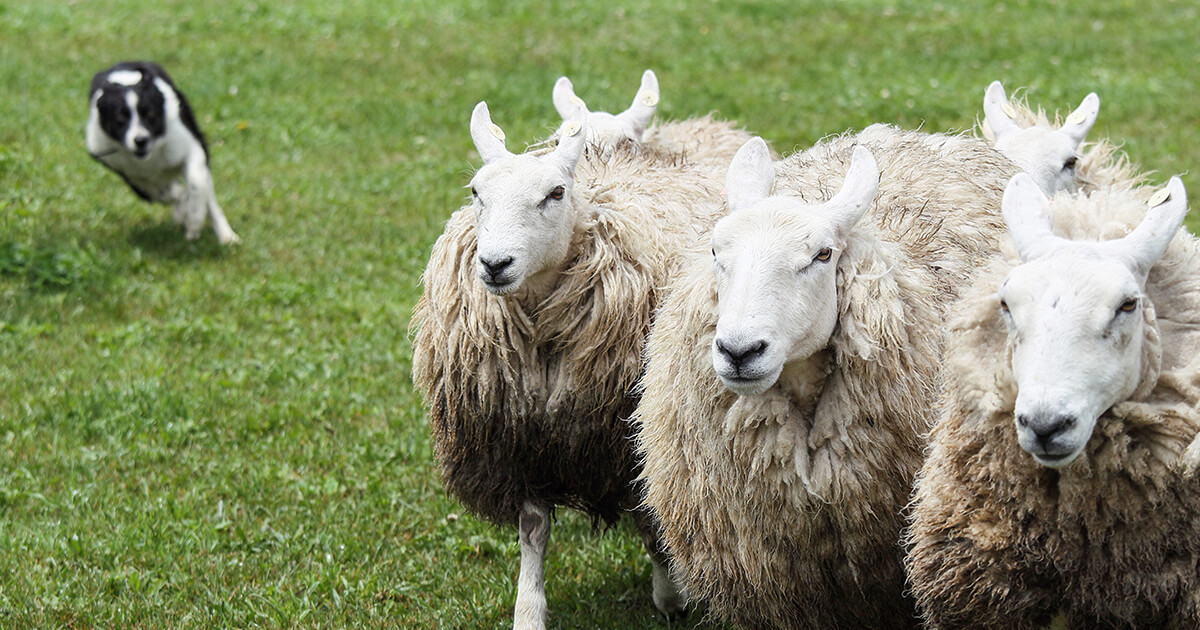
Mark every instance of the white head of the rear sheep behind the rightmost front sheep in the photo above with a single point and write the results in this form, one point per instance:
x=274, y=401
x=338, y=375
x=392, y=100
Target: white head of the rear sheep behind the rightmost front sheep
x=1048, y=155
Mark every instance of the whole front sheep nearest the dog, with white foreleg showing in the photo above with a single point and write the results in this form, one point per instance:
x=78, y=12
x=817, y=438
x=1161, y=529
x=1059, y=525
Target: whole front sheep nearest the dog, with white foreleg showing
x=530, y=334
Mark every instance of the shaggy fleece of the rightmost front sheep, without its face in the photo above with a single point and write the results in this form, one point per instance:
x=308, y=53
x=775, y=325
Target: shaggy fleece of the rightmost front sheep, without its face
x=1113, y=541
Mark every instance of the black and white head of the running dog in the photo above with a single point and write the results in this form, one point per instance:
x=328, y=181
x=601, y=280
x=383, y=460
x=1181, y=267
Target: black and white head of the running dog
x=131, y=110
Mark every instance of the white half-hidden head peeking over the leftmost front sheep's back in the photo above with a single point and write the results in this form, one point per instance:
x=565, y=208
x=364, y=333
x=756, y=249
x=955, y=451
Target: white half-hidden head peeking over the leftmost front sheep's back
x=605, y=129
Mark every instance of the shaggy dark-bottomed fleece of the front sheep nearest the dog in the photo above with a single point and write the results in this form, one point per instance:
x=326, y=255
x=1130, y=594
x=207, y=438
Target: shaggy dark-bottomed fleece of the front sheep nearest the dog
x=530, y=394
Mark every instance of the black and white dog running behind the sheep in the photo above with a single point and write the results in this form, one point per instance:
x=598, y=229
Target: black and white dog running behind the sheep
x=142, y=128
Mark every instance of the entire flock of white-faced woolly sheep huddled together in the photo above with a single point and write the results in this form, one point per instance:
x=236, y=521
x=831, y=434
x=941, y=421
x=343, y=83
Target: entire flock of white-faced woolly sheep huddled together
x=898, y=380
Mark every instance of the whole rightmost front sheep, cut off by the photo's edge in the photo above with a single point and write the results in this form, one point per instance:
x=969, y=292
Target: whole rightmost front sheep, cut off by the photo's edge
x=1063, y=472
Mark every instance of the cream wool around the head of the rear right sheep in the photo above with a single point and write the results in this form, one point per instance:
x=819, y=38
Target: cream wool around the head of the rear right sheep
x=1102, y=165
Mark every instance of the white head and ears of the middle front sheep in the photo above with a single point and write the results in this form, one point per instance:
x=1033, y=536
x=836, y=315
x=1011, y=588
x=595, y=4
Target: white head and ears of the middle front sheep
x=776, y=265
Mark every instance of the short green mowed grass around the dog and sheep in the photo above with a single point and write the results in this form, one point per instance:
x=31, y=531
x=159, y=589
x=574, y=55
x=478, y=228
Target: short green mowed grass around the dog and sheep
x=199, y=437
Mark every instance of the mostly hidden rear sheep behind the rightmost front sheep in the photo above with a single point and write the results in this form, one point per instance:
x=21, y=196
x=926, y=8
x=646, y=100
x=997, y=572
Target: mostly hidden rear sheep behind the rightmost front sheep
x=1055, y=154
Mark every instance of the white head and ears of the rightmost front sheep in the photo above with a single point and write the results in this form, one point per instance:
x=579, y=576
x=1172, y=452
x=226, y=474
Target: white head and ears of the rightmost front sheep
x=1075, y=315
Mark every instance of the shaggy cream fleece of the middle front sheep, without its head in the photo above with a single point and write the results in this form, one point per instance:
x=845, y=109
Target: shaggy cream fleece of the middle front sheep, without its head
x=785, y=509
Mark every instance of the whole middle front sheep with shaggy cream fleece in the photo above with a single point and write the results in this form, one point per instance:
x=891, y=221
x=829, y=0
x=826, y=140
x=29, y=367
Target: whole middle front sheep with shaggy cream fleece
x=789, y=374
